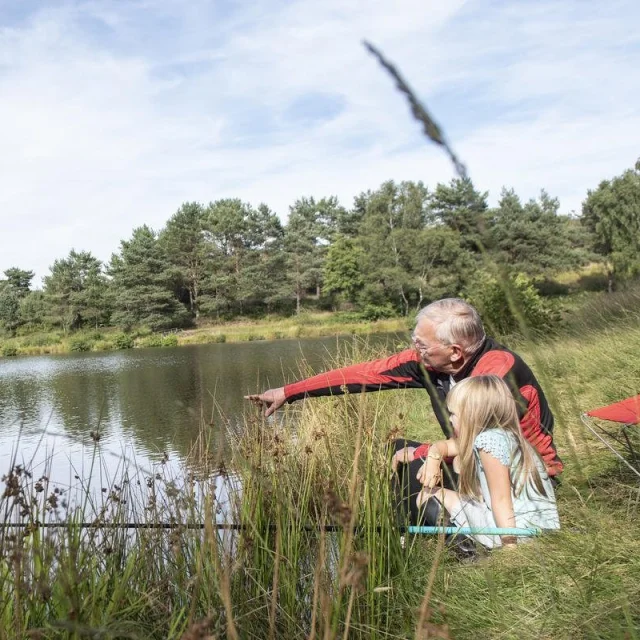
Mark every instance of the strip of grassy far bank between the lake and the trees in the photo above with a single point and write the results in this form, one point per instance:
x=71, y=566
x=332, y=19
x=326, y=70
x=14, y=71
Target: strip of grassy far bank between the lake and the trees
x=307, y=325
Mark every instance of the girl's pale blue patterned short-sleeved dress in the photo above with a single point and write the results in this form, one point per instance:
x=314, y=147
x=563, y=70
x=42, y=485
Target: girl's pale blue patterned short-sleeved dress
x=531, y=509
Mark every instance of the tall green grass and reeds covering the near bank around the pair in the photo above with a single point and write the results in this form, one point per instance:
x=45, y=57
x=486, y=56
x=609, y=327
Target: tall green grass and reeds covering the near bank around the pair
x=324, y=462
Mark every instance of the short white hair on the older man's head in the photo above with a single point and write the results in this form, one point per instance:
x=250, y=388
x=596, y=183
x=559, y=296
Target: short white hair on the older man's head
x=455, y=322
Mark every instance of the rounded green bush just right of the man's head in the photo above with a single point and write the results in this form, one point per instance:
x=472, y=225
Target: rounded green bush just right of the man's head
x=510, y=305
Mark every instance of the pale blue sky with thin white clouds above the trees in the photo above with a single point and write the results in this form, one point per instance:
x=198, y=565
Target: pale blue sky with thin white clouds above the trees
x=115, y=112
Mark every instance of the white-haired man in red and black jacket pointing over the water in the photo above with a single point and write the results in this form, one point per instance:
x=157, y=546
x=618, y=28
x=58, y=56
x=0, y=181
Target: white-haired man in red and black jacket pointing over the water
x=449, y=344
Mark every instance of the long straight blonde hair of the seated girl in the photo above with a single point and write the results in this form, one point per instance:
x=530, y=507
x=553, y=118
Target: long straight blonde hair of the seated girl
x=486, y=402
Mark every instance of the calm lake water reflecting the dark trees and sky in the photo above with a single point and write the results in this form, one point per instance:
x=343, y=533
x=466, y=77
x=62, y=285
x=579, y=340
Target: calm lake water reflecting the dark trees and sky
x=147, y=406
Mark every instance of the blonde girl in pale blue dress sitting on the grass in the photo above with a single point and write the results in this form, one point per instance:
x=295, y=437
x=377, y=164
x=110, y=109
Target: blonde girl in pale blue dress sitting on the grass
x=503, y=482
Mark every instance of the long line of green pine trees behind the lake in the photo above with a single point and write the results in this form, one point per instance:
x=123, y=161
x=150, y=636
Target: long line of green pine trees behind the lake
x=394, y=250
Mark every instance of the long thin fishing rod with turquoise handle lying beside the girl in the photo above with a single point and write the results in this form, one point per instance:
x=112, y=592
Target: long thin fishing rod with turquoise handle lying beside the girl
x=223, y=526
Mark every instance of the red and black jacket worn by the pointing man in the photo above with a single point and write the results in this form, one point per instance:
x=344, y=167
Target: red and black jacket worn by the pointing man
x=404, y=370
